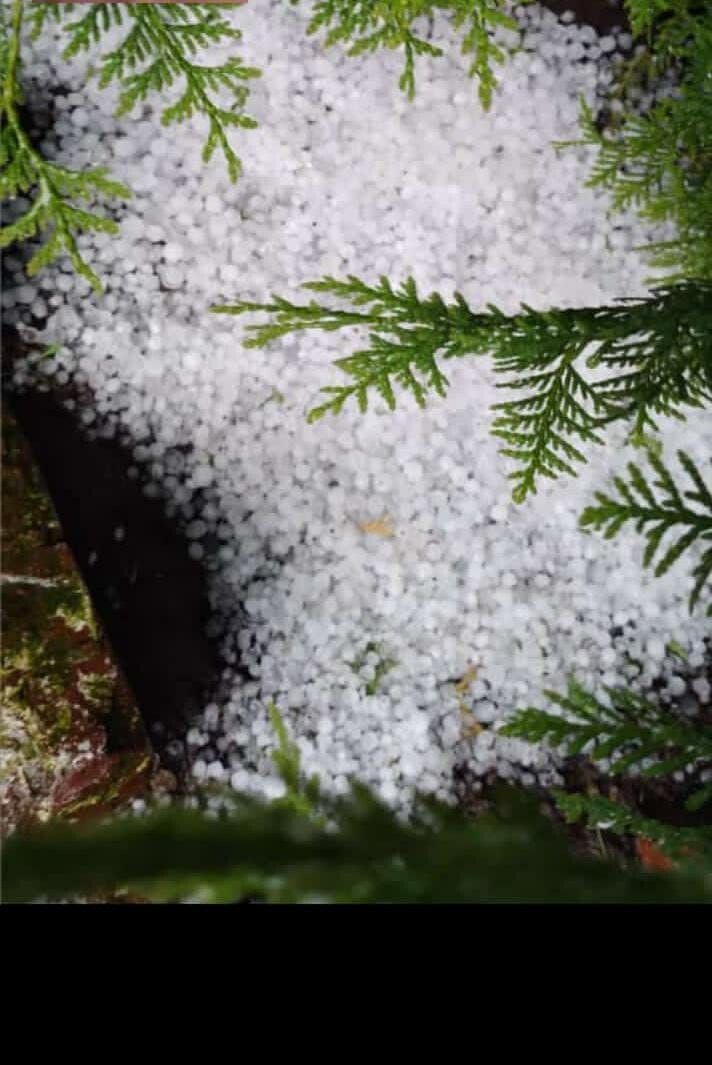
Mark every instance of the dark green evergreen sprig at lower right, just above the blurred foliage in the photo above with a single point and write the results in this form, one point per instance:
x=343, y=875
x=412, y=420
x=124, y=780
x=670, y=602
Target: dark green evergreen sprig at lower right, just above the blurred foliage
x=626, y=728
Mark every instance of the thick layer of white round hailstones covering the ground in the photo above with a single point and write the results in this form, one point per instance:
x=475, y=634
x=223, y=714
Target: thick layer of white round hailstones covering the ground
x=370, y=571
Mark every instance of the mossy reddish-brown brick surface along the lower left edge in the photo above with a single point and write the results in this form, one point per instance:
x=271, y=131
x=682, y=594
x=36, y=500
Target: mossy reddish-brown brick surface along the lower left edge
x=62, y=691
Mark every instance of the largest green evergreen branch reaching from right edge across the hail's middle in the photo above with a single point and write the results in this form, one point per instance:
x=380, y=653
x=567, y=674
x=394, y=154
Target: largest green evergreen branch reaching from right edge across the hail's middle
x=658, y=354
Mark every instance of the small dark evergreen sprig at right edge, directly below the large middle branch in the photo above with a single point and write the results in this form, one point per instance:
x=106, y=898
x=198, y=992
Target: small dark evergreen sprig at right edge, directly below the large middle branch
x=660, y=509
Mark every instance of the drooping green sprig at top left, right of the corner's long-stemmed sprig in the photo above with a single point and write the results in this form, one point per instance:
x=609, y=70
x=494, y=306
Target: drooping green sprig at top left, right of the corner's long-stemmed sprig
x=159, y=52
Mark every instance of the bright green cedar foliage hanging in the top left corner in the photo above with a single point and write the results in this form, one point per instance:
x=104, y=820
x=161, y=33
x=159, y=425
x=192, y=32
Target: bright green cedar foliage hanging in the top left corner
x=158, y=53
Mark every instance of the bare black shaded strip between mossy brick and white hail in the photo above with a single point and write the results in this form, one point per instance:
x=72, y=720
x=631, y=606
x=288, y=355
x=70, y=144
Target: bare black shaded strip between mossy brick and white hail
x=150, y=596
